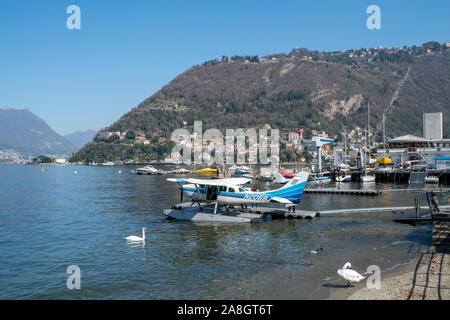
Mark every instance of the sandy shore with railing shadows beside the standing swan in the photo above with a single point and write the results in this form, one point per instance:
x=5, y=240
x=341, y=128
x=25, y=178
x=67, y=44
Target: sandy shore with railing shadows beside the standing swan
x=427, y=278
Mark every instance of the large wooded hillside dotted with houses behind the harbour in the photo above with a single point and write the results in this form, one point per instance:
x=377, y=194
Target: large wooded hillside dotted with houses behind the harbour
x=303, y=89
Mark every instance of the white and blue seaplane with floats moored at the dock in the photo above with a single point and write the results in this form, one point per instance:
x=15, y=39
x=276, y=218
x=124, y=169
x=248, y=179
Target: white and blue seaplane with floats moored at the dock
x=214, y=200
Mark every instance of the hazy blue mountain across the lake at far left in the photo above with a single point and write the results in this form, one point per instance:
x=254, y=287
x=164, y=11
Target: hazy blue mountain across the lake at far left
x=26, y=133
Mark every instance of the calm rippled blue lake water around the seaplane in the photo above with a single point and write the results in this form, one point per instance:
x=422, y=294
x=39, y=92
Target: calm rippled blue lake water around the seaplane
x=53, y=219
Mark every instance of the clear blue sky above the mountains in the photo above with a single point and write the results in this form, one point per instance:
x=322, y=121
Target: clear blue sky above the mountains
x=127, y=50
